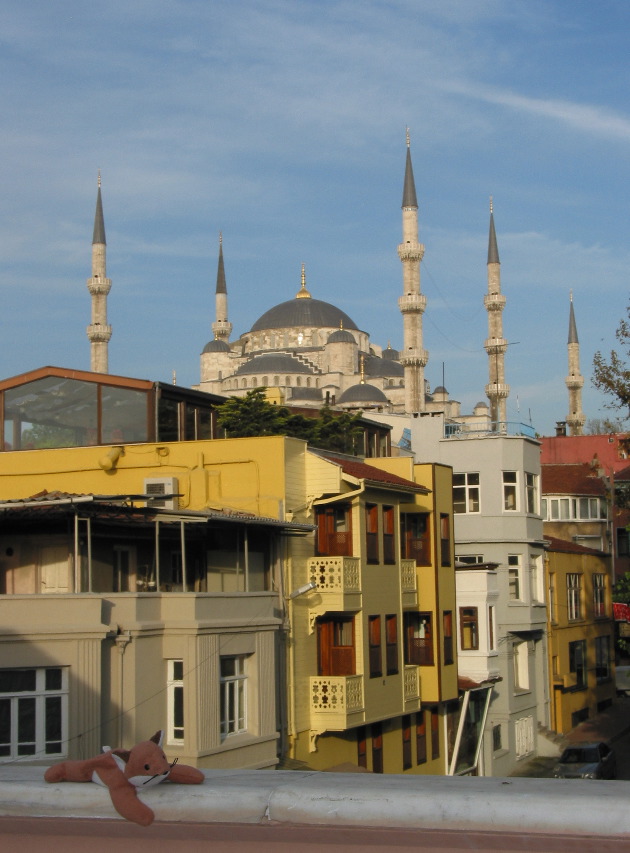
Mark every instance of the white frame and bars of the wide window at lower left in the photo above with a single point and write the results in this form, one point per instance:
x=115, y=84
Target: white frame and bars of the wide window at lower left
x=16, y=700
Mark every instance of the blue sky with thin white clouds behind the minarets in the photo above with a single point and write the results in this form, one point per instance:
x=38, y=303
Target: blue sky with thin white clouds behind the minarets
x=282, y=123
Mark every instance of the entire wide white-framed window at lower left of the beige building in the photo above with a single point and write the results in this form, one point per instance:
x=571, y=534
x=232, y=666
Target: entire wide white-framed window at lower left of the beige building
x=33, y=712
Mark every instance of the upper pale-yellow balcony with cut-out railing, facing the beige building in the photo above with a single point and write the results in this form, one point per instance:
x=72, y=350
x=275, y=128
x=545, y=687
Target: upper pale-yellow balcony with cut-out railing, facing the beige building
x=338, y=580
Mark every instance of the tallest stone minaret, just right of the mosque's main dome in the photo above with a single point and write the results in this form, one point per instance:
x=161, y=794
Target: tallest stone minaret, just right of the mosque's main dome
x=412, y=303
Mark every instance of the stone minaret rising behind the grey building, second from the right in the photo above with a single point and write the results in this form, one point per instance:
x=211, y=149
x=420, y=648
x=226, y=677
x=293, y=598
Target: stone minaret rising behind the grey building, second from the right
x=496, y=345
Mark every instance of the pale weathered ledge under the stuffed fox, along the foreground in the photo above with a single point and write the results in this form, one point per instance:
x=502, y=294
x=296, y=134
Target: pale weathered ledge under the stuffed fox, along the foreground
x=516, y=805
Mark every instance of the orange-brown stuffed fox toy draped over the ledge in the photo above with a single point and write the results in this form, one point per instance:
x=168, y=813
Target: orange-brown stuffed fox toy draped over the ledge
x=126, y=771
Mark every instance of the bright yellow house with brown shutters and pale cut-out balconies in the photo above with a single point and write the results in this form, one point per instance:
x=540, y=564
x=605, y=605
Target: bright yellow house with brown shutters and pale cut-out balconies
x=371, y=647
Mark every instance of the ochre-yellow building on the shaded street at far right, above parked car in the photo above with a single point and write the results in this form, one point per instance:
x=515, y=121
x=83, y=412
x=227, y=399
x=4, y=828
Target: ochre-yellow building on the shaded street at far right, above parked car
x=581, y=633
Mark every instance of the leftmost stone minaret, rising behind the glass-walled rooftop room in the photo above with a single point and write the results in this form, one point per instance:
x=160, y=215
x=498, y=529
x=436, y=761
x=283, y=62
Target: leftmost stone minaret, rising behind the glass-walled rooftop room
x=99, y=285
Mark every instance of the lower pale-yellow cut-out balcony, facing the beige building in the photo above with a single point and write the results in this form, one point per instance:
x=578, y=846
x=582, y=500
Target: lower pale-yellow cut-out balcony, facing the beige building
x=336, y=702
